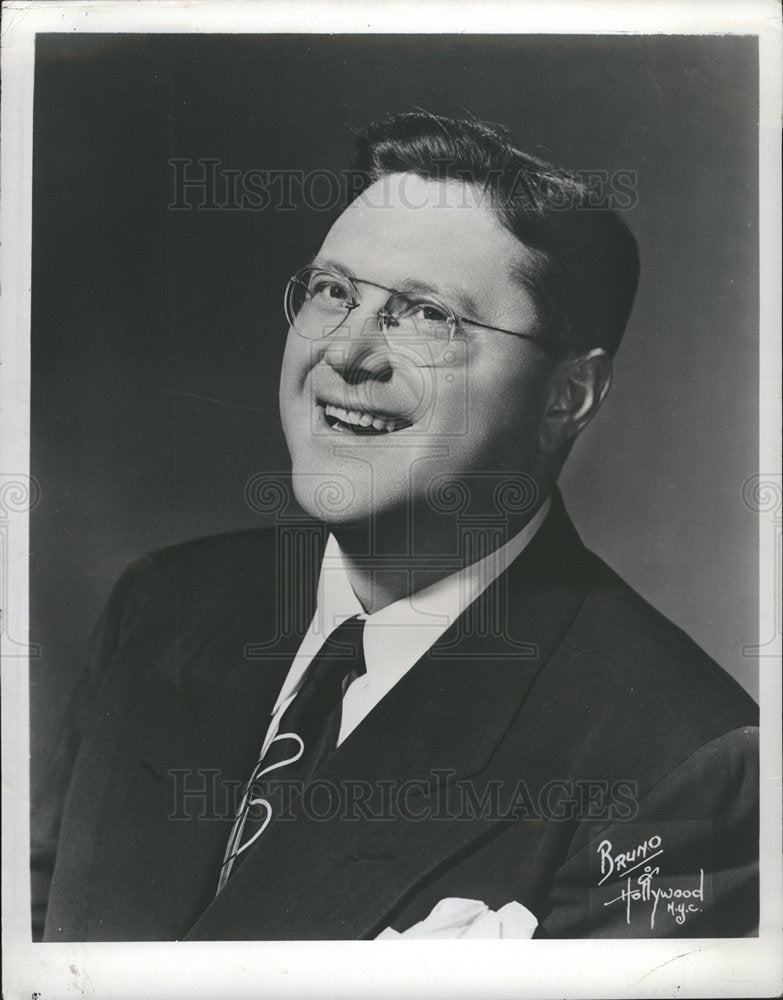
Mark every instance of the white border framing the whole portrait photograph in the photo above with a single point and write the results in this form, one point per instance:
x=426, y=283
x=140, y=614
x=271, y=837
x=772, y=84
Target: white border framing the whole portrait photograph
x=650, y=968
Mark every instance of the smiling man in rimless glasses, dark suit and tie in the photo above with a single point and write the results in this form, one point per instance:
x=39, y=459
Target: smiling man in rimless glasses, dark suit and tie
x=478, y=729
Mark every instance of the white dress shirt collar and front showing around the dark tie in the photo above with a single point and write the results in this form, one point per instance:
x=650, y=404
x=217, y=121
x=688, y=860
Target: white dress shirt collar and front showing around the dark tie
x=397, y=636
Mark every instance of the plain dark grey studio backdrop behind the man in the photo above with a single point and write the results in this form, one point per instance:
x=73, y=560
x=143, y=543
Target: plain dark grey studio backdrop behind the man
x=157, y=335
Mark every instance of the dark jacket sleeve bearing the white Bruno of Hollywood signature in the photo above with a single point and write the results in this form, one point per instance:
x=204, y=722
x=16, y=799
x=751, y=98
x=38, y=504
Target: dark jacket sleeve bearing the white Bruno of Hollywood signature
x=685, y=865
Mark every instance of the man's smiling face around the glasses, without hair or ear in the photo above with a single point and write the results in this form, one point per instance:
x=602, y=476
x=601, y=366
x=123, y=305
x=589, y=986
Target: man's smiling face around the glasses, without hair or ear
x=373, y=426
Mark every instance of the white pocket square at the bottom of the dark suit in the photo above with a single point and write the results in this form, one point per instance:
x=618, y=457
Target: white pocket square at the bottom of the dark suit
x=469, y=918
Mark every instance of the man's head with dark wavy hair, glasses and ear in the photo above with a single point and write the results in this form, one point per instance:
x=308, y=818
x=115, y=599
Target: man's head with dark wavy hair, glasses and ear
x=458, y=322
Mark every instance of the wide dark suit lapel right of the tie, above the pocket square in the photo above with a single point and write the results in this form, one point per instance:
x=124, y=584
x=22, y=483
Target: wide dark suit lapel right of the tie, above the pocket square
x=327, y=873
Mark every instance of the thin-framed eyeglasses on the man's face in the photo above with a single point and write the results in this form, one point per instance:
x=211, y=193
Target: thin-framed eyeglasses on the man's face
x=318, y=301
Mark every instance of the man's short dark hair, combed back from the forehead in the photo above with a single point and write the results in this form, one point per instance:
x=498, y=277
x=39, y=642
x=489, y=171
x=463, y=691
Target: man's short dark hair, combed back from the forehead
x=585, y=262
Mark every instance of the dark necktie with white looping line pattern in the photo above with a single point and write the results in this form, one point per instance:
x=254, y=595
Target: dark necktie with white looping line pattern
x=306, y=735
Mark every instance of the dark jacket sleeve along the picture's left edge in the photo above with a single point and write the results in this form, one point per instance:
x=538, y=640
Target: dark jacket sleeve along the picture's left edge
x=49, y=796
